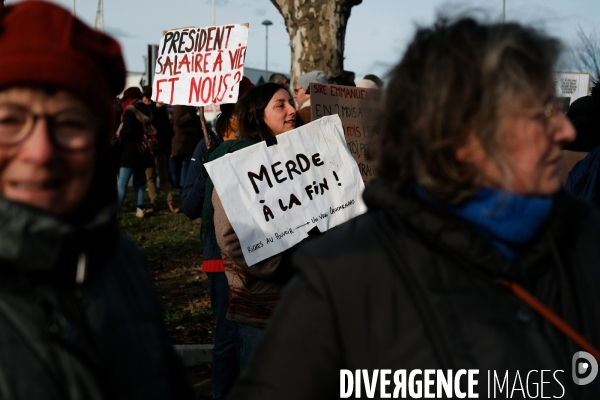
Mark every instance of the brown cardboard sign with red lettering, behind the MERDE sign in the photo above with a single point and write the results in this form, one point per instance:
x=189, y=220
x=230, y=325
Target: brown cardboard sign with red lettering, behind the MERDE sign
x=356, y=108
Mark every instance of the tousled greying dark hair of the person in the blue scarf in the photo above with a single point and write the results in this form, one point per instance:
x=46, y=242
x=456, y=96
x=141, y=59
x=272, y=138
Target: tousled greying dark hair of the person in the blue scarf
x=457, y=79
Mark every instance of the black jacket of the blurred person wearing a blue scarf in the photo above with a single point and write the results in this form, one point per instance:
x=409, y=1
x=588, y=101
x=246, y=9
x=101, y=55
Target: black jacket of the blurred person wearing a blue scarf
x=409, y=286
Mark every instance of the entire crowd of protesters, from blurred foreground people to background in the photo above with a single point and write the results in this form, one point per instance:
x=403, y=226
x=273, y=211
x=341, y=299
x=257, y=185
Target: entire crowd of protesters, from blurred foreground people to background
x=473, y=254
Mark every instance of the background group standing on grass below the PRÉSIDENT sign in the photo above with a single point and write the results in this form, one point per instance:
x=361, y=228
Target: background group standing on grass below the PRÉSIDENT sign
x=151, y=142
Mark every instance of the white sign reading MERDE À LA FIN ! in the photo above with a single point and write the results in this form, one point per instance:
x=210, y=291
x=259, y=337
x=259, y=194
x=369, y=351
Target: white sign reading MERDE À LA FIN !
x=274, y=195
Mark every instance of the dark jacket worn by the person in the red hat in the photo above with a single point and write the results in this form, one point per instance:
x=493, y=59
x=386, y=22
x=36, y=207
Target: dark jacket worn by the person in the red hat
x=79, y=318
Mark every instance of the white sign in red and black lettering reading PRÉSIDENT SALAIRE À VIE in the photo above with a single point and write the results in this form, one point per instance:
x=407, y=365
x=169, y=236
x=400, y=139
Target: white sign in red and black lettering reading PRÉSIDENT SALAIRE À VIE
x=200, y=66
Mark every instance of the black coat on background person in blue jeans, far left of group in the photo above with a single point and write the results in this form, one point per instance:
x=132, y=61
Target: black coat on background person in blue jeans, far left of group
x=131, y=136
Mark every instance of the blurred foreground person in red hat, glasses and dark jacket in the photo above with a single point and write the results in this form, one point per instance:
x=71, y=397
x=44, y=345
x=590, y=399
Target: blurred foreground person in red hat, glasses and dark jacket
x=79, y=318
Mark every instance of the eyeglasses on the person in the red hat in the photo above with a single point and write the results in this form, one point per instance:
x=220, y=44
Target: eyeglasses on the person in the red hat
x=70, y=130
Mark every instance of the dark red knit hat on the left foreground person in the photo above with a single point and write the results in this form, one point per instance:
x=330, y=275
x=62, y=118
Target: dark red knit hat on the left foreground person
x=43, y=44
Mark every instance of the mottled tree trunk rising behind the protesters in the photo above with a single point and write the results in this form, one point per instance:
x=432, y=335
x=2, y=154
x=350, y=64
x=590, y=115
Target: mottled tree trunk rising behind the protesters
x=317, y=30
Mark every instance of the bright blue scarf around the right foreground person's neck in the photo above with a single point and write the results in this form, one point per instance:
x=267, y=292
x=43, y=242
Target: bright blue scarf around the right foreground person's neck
x=504, y=218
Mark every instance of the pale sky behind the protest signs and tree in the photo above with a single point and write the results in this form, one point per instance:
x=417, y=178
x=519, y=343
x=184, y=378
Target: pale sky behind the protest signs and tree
x=377, y=33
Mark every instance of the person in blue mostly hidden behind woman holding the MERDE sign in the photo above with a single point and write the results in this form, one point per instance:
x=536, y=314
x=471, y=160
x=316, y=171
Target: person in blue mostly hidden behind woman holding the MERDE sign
x=224, y=367
